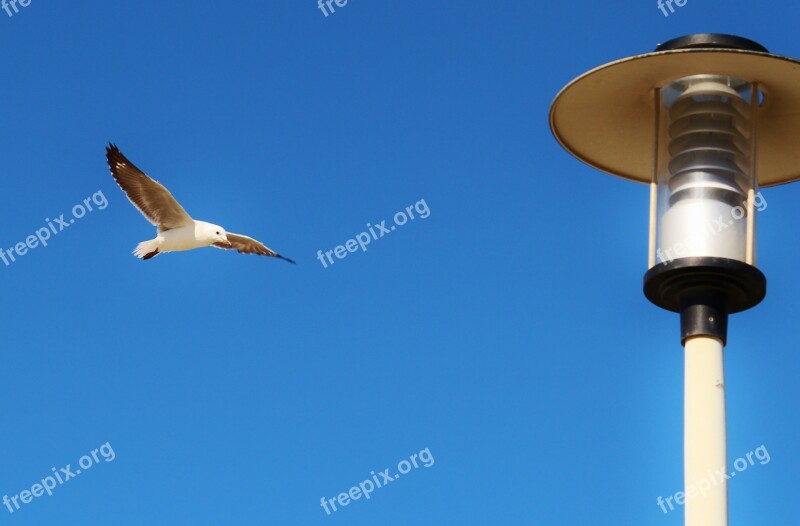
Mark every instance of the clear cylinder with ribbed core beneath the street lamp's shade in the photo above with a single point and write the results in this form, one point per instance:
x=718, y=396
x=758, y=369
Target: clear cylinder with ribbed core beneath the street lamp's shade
x=705, y=166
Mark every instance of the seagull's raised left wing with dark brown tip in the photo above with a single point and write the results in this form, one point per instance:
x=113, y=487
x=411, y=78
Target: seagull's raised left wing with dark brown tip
x=148, y=196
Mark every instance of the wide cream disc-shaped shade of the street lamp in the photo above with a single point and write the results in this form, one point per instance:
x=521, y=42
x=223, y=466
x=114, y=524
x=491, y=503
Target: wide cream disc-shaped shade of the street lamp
x=606, y=116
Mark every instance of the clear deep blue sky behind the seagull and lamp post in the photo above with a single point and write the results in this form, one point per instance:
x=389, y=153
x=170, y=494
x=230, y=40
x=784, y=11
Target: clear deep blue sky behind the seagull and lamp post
x=505, y=333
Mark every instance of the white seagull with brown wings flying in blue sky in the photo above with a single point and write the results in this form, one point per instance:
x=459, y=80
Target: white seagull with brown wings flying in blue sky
x=176, y=230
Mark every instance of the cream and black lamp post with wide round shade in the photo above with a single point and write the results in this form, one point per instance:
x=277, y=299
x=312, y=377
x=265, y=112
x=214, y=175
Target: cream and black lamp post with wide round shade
x=706, y=120
